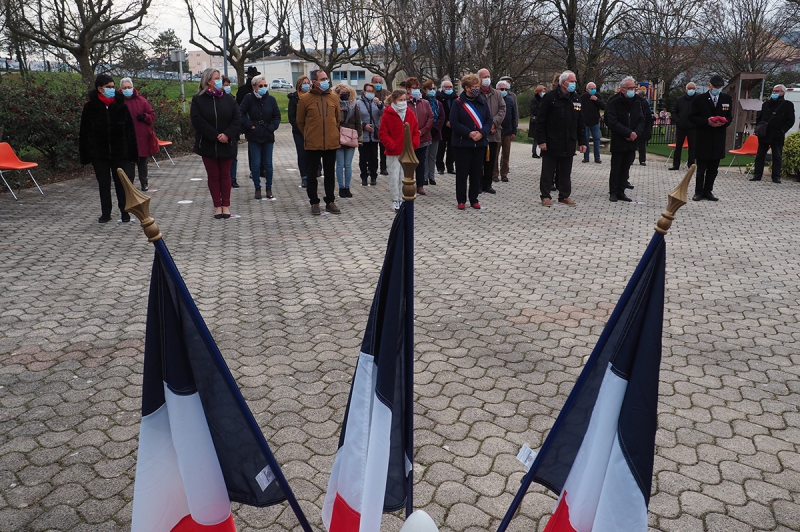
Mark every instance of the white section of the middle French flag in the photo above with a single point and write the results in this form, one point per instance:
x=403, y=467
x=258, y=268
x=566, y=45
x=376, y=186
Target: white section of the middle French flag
x=361, y=465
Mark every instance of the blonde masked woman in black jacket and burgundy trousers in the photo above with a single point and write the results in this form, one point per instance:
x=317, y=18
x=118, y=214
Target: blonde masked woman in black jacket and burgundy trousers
x=215, y=118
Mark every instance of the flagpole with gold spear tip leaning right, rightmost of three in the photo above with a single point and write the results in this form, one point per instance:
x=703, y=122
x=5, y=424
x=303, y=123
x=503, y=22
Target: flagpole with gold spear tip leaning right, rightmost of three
x=676, y=199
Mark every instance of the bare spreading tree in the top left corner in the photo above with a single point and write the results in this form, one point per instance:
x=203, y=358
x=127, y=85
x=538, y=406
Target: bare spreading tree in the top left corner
x=83, y=30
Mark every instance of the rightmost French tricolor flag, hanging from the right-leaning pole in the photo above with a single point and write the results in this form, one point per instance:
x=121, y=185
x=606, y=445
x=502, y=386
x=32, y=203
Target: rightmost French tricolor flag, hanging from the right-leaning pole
x=599, y=454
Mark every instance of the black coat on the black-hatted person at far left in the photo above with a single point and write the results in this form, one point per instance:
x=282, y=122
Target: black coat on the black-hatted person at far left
x=107, y=132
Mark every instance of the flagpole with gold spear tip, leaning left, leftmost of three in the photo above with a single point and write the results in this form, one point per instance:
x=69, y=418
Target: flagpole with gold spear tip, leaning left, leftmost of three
x=138, y=204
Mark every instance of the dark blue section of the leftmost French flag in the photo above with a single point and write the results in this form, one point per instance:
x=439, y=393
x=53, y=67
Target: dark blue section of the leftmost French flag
x=180, y=351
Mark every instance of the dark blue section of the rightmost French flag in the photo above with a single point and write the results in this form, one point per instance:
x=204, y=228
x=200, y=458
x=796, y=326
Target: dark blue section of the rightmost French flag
x=631, y=344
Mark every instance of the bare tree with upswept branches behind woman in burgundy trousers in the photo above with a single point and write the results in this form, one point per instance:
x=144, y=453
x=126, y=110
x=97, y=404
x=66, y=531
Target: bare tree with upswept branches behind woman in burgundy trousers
x=252, y=27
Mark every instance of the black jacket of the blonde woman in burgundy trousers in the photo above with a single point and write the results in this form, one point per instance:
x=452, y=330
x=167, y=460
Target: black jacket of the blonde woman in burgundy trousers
x=210, y=117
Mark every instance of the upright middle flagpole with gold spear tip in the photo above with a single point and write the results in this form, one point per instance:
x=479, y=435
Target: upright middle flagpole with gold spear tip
x=409, y=161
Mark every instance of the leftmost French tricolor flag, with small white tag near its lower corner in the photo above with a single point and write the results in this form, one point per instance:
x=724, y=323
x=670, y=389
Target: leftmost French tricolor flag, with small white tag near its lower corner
x=199, y=445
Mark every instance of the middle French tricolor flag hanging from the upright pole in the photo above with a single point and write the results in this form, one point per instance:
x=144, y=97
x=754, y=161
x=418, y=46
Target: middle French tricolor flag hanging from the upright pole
x=371, y=468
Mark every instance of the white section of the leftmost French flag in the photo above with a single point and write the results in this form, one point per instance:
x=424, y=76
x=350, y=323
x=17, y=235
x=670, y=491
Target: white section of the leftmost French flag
x=177, y=470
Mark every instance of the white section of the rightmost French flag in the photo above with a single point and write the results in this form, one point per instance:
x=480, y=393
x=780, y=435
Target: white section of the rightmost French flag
x=601, y=491
